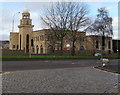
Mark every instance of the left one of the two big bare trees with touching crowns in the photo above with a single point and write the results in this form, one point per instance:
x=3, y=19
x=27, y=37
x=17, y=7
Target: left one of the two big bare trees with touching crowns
x=56, y=19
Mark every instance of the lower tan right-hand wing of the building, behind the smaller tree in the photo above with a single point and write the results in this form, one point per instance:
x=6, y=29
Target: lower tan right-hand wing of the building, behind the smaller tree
x=94, y=43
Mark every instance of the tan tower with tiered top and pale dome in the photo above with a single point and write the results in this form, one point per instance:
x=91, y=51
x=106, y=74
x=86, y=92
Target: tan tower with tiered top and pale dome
x=25, y=30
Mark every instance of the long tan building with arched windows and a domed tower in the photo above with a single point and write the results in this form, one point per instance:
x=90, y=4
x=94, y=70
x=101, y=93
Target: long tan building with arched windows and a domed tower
x=41, y=41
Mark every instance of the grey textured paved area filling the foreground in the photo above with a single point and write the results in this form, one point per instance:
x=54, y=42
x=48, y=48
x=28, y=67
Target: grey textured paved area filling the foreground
x=74, y=80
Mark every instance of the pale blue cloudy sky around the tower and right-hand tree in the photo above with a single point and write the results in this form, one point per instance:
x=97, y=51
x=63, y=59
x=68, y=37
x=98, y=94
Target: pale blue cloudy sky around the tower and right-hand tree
x=8, y=9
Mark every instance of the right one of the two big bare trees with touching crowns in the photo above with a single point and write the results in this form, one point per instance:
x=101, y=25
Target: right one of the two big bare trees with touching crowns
x=77, y=20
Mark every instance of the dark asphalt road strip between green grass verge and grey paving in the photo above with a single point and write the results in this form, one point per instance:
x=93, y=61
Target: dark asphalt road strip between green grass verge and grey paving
x=47, y=64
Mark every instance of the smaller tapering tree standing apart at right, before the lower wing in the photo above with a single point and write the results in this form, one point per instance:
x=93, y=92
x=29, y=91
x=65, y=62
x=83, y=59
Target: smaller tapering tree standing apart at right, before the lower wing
x=102, y=26
